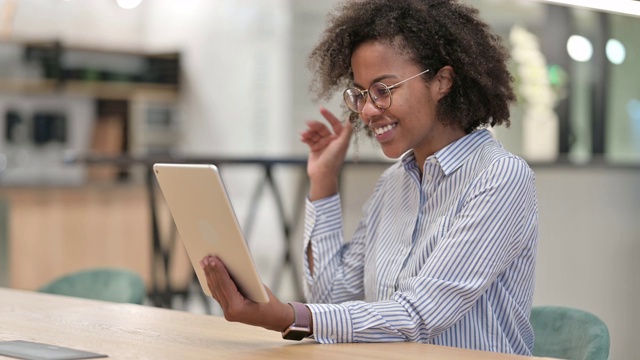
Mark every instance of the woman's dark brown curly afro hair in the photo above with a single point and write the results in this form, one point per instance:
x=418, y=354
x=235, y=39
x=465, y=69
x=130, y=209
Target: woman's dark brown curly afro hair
x=433, y=33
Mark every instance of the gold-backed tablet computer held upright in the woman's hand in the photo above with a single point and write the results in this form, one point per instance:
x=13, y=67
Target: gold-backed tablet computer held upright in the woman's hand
x=207, y=224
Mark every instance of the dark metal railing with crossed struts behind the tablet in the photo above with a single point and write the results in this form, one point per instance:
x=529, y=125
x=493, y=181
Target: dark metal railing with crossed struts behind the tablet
x=162, y=290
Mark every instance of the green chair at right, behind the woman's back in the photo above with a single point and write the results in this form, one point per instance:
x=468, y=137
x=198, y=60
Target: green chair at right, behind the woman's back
x=569, y=333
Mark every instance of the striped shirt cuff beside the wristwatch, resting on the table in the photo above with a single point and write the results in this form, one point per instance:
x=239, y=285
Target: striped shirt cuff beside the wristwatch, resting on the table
x=331, y=323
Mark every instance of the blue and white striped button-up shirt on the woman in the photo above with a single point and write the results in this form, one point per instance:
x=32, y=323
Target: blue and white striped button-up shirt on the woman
x=445, y=258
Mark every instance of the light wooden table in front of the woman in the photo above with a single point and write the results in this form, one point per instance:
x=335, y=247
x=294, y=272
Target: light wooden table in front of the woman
x=126, y=331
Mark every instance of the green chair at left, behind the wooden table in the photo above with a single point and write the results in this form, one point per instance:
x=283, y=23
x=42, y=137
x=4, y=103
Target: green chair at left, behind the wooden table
x=108, y=284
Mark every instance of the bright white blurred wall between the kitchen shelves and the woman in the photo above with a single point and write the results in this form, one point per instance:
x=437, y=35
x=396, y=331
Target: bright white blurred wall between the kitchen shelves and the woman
x=235, y=70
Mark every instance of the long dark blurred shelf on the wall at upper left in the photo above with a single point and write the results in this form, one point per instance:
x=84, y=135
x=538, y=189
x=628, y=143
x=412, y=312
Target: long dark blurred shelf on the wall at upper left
x=100, y=72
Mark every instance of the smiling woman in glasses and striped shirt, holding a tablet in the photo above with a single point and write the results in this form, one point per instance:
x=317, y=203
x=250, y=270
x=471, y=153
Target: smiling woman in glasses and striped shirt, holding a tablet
x=445, y=252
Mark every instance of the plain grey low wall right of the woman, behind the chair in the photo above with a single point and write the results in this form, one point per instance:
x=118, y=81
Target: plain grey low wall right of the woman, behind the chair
x=589, y=244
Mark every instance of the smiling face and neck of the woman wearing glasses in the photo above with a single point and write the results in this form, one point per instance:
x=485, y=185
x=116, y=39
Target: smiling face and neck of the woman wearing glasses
x=410, y=122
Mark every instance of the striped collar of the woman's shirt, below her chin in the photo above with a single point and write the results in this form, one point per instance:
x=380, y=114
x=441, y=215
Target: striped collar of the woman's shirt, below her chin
x=452, y=156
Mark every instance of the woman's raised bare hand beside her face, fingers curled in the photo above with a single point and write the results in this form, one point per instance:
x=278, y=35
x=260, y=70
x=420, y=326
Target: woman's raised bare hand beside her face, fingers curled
x=328, y=148
